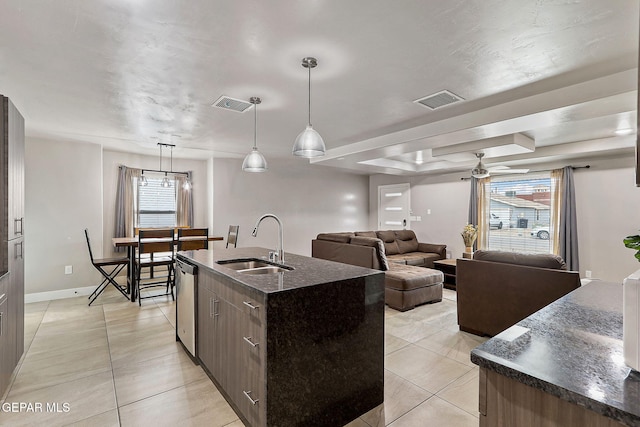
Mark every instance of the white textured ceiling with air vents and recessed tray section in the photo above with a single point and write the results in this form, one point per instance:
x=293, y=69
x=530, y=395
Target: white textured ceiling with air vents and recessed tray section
x=131, y=73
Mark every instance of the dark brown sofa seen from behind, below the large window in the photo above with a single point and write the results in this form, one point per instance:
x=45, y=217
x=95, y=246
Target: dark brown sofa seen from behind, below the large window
x=496, y=290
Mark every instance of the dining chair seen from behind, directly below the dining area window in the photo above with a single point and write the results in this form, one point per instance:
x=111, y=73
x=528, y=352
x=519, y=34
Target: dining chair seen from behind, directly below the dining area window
x=159, y=245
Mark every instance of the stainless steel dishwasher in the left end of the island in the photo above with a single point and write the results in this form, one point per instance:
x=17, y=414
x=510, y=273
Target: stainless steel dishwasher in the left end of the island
x=186, y=277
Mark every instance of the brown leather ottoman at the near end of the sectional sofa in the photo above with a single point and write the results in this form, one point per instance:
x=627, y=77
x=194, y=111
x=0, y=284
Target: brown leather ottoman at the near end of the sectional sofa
x=407, y=286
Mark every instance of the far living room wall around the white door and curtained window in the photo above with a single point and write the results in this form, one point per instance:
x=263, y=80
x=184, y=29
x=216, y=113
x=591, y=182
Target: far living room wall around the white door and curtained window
x=607, y=205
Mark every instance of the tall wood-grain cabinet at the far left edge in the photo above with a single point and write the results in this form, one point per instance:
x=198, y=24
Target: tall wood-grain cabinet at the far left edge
x=12, y=244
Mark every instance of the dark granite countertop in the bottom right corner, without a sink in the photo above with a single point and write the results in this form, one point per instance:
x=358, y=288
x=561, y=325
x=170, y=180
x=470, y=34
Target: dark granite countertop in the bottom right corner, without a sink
x=571, y=349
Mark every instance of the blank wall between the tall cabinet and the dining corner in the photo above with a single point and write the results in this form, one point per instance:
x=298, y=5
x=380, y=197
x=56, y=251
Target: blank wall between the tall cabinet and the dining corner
x=63, y=185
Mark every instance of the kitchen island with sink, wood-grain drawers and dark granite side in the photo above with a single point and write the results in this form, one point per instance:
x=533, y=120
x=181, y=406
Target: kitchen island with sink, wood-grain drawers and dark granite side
x=303, y=346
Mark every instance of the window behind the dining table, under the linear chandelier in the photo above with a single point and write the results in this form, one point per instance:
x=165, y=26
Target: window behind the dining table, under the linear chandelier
x=156, y=204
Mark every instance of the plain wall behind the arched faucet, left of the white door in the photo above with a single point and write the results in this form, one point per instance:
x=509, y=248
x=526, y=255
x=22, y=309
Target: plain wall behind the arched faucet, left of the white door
x=309, y=199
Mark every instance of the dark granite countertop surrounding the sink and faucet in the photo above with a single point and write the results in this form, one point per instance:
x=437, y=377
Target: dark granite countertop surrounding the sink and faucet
x=307, y=271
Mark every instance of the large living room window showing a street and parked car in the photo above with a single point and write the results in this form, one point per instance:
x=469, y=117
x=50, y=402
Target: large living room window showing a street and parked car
x=518, y=212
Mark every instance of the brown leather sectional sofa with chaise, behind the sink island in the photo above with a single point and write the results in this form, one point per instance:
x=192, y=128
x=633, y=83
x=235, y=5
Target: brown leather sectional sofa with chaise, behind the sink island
x=408, y=280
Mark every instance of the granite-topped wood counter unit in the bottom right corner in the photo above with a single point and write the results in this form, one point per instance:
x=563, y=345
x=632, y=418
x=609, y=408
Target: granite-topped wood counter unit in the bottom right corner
x=561, y=366
